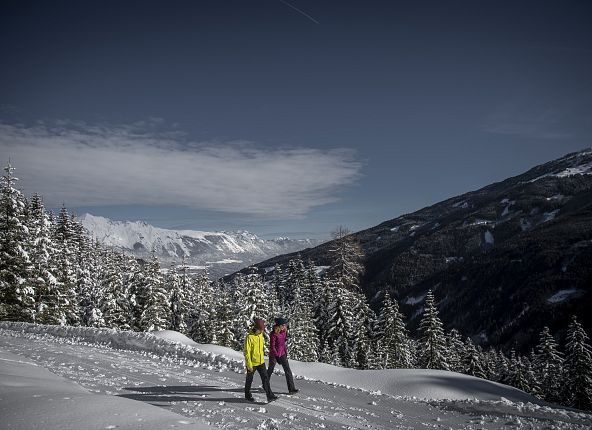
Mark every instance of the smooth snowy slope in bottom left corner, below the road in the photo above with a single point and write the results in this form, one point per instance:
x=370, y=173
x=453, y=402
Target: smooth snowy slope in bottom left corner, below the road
x=34, y=398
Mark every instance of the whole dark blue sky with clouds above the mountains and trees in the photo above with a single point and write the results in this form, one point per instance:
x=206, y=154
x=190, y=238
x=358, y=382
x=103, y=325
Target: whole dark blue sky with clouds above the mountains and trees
x=251, y=115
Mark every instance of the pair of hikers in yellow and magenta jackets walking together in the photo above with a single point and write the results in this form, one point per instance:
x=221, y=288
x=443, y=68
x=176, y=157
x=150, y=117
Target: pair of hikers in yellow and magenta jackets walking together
x=255, y=360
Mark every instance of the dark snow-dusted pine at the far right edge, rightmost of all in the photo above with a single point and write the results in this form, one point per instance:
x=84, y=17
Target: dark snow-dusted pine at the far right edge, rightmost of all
x=578, y=367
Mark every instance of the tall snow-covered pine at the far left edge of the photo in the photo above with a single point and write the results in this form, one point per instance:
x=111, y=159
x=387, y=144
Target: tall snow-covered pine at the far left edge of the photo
x=17, y=297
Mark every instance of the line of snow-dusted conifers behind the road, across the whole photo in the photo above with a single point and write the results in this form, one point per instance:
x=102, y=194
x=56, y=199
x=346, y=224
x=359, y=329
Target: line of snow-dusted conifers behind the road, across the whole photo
x=53, y=272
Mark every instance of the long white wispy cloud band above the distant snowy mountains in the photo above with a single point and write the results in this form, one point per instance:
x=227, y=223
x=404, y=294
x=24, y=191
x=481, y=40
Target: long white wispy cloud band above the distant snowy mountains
x=90, y=165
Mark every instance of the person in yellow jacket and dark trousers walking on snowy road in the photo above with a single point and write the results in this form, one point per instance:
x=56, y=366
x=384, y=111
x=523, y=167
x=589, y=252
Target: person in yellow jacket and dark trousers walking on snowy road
x=255, y=360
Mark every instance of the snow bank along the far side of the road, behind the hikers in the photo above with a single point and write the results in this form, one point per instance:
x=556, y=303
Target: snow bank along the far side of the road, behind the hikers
x=413, y=383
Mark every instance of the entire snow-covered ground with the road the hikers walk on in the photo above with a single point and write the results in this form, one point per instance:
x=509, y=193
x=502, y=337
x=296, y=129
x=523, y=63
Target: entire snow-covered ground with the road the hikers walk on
x=102, y=378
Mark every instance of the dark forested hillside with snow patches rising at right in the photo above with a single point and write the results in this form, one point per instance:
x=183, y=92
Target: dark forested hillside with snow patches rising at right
x=502, y=261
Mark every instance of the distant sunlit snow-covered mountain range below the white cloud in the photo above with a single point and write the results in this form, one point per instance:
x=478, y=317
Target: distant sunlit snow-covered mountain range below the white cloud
x=219, y=252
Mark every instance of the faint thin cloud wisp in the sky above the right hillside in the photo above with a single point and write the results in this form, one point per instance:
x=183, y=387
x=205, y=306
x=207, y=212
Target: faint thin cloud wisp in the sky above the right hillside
x=528, y=123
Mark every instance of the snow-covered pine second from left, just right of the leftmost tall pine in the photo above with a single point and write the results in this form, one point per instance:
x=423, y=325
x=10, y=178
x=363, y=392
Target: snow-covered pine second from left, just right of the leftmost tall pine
x=41, y=251
